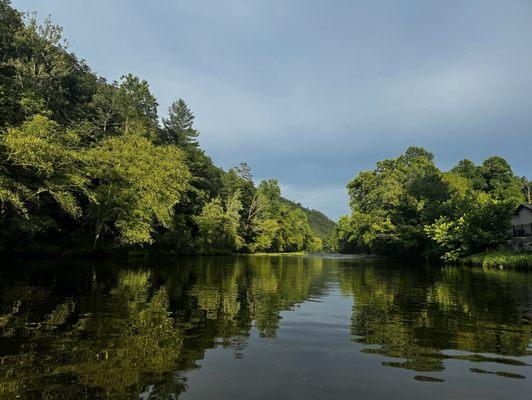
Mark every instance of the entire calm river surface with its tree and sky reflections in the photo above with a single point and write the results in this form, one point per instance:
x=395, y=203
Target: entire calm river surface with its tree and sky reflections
x=262, y=327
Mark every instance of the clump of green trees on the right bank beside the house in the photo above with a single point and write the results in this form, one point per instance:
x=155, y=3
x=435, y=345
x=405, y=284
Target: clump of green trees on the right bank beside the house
x=407, y=207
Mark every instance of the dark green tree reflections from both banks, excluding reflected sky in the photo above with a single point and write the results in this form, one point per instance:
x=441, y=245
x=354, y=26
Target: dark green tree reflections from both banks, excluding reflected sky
x=124, y=329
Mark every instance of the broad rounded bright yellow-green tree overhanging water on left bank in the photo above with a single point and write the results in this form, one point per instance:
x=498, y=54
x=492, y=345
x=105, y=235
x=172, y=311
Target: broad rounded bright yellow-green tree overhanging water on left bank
x=134, y=185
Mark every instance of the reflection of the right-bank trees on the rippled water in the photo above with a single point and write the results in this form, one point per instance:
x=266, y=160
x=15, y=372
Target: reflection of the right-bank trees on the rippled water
x=416, y=314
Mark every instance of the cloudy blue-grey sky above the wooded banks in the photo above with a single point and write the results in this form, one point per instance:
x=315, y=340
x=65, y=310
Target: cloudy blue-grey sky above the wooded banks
x=311, y=92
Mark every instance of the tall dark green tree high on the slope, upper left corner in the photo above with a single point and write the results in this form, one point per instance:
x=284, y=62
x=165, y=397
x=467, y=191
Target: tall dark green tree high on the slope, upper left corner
x=42, y=77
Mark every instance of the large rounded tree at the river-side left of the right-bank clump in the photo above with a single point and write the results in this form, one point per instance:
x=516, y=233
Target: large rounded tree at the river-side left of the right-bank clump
x=391, y=204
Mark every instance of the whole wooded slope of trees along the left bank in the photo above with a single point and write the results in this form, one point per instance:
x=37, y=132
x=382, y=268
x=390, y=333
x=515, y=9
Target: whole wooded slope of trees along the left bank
x=85, y=164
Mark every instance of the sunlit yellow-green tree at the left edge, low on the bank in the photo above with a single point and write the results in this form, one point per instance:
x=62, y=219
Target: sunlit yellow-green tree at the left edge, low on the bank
x=41, y=174
